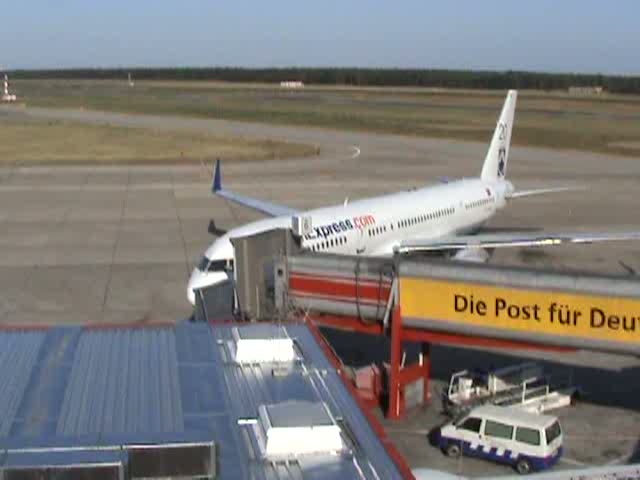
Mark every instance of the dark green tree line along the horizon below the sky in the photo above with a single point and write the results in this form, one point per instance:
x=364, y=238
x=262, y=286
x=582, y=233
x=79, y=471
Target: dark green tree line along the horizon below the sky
x=492, y=80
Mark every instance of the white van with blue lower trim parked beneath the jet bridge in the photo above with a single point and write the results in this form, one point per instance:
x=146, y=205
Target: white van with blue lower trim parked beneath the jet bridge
x=527, y=441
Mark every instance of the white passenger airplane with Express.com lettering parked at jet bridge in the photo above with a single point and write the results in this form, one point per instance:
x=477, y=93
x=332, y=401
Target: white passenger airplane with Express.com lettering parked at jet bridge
x=444, y=218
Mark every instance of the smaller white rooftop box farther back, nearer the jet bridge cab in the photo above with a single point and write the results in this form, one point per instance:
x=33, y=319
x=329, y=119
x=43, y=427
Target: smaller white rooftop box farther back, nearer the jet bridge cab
x=255, y=346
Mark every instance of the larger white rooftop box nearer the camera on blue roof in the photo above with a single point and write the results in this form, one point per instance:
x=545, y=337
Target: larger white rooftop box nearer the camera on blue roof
x=299, y=428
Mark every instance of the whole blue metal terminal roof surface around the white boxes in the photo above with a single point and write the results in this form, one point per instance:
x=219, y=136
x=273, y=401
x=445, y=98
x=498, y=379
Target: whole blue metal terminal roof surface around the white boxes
x=74, y=386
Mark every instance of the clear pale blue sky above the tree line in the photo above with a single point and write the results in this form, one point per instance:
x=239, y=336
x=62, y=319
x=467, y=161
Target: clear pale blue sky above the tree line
x=545, y=35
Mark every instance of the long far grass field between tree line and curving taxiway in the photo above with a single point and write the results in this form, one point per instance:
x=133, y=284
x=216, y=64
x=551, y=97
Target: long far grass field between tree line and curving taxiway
x=607, y=124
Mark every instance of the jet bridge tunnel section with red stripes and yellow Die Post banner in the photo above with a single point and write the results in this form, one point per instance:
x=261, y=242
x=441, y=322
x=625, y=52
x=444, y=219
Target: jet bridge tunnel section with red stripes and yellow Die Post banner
x=504, y=304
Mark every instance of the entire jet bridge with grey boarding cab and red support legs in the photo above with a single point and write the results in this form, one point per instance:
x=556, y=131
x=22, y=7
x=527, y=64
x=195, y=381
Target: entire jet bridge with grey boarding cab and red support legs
x=428, y=302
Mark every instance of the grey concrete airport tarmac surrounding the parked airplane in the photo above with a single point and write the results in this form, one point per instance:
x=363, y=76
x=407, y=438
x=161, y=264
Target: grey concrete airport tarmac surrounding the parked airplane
x=116, y=244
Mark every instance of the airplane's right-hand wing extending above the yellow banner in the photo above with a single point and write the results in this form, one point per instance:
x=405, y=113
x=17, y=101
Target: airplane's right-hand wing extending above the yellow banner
x=511, y=239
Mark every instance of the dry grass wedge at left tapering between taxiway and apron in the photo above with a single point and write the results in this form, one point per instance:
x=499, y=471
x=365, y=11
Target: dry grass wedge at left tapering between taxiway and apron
x=38, y=142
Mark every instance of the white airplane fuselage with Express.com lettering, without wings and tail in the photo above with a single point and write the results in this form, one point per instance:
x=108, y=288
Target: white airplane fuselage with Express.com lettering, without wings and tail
x=372, y=227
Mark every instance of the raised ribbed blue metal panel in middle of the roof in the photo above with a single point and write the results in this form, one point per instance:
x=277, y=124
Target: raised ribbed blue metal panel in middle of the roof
x=123, y=381
